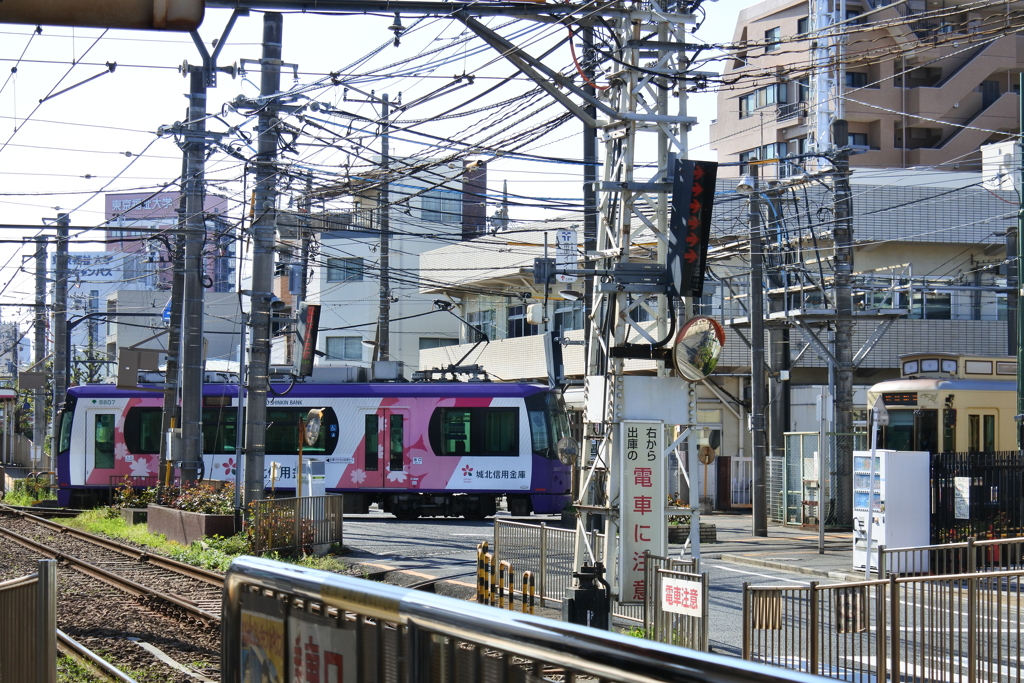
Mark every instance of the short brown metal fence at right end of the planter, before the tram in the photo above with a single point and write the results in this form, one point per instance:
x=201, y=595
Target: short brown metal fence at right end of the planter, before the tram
x=295, y=524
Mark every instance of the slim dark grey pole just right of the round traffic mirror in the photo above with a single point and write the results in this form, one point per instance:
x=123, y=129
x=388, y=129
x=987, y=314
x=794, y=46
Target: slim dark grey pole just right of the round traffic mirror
x=757, y=314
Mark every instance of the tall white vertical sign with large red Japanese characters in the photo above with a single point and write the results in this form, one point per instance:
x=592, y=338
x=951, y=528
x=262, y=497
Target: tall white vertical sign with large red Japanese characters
x=642, y=504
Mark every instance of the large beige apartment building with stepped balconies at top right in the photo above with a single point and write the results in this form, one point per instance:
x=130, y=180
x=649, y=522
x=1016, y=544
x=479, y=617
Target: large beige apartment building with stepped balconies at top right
x=926, y=83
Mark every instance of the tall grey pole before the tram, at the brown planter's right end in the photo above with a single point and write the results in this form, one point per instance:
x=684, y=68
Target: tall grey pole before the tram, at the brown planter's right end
x=264, y=238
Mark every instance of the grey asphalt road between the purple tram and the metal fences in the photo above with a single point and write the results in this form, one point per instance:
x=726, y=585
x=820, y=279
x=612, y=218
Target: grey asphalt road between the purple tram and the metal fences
x=448, y=548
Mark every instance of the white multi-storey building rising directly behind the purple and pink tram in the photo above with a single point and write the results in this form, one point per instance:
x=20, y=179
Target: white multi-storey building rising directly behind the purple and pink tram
x=429, y=204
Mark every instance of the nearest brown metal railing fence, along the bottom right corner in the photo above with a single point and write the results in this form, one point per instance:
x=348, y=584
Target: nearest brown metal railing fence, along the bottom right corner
x=962, y=628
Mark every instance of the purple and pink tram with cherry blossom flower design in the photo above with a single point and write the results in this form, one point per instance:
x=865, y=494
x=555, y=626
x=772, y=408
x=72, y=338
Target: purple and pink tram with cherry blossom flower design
x=434, y=449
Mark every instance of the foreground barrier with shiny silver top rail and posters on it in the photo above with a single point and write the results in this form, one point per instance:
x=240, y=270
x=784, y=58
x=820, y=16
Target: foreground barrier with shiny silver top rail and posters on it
x=283, y=622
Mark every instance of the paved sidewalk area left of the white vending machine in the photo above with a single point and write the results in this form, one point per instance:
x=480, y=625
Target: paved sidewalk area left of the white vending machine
x=787, y=548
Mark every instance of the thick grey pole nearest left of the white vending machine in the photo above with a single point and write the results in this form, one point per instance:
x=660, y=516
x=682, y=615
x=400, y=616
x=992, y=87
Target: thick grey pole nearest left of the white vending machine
x=843, y=240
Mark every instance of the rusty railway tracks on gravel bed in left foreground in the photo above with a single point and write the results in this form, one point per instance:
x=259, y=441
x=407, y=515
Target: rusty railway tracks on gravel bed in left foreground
x=156, y=618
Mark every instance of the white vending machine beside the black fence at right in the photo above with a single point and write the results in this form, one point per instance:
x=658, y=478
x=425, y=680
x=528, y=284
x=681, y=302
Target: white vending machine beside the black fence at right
x=902, y=511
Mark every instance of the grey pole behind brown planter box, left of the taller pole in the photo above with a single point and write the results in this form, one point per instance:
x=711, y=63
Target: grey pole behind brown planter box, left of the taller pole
x=192, y=307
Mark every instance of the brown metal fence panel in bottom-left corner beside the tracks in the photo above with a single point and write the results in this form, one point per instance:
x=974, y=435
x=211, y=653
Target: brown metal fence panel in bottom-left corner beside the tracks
x=29, y=652
